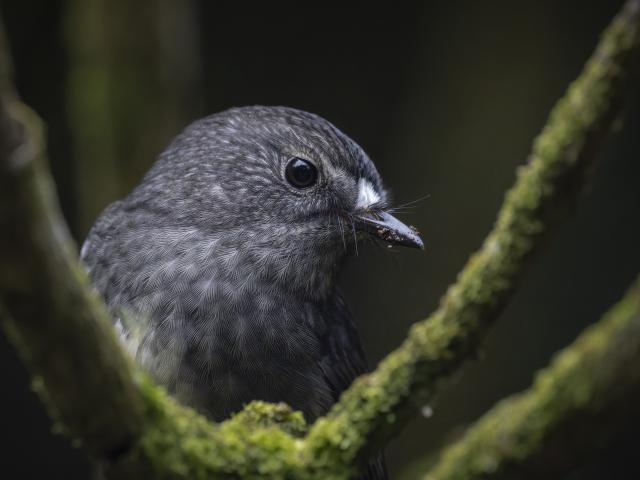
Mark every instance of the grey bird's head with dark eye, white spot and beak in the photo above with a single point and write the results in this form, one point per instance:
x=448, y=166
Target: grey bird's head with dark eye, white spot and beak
x=283, y=187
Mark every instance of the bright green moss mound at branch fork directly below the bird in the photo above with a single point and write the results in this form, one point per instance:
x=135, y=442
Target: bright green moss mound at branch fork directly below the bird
x=261, y=441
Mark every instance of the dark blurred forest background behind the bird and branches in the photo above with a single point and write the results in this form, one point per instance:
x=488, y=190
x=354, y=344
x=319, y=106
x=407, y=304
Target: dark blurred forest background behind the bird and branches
x=446, y=97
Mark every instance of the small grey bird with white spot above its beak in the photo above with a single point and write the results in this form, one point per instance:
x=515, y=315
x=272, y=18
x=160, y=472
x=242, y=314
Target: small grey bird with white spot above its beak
x=219, y=269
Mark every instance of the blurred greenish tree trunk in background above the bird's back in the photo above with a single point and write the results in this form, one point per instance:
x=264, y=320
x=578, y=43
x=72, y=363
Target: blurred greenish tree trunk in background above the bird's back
x=134, y=80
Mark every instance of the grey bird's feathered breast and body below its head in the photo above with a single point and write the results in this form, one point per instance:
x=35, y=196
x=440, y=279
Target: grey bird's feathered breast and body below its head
x=215, y=323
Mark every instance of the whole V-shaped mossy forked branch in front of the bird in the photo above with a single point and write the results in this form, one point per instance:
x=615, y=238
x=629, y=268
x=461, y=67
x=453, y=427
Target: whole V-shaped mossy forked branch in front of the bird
x=63, y=332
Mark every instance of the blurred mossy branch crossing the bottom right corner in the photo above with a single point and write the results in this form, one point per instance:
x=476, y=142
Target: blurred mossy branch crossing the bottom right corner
x=590, y=390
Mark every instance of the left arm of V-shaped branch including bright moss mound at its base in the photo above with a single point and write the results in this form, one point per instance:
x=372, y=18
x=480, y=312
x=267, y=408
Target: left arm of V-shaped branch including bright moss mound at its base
x=64, y=335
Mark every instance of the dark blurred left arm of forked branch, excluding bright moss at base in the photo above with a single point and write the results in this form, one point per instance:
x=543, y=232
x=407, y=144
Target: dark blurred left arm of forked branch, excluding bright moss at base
x=61, y=330
